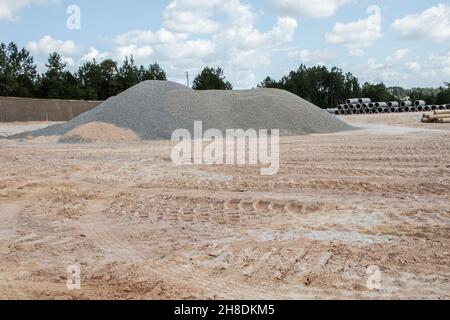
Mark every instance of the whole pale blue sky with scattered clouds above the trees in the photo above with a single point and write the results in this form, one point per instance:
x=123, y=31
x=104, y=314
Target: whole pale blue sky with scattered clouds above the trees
x=399, y=42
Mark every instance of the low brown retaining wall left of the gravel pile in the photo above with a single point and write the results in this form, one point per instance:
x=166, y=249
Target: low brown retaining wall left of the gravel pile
x=26, y=110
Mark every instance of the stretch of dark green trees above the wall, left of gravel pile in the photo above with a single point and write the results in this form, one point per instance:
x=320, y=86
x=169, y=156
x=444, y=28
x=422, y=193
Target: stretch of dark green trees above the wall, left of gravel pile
x=92, y=81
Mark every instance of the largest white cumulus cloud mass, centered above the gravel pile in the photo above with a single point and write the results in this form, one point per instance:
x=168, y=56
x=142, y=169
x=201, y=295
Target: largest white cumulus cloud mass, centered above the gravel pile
x=237, y=45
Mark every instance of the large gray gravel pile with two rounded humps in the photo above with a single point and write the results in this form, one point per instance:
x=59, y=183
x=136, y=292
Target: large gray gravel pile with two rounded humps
x=154, y=109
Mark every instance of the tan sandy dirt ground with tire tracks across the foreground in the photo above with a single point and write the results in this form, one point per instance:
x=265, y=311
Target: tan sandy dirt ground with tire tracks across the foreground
x=140, y=228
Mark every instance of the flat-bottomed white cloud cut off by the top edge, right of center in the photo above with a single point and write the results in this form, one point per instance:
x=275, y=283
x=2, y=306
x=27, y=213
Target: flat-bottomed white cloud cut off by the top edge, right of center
x=309, y=8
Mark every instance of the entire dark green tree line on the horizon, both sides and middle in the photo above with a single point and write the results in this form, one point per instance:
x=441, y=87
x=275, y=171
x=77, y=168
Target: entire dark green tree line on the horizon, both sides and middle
x=100, y=80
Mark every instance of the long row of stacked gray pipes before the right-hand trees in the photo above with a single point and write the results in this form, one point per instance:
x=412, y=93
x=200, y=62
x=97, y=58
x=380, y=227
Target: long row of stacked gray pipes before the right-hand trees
x=366, y=106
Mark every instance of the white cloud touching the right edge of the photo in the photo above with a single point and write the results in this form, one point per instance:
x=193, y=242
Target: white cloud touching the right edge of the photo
x=433, y=23
